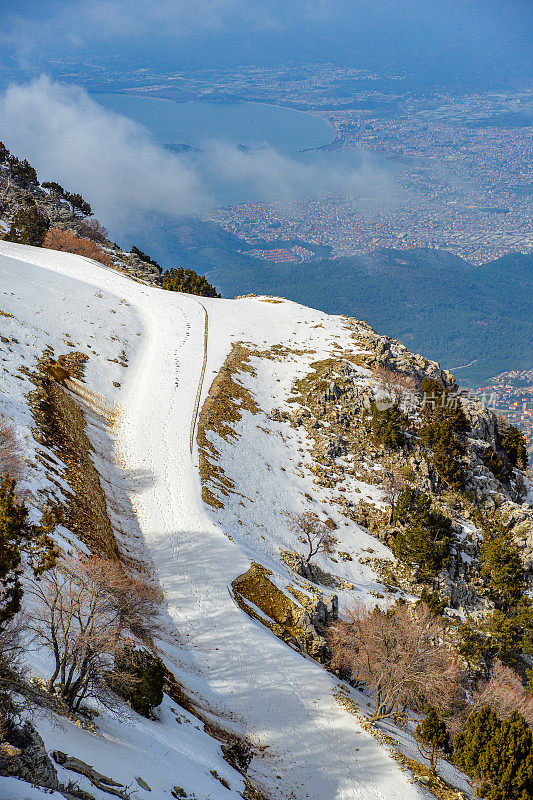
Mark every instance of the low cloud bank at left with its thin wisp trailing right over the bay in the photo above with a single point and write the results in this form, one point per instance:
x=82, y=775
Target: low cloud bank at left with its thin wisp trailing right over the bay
x=115, y=163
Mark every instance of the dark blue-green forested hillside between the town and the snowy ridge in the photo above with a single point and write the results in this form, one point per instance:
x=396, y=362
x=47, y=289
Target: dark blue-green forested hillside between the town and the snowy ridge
x=431, y=300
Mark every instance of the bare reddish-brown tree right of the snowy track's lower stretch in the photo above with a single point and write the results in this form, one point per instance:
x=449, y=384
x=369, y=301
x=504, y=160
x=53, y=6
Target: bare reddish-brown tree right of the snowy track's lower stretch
x=401, y=655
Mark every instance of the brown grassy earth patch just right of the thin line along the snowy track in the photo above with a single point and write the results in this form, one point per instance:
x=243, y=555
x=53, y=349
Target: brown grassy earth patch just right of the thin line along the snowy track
x=222, y=409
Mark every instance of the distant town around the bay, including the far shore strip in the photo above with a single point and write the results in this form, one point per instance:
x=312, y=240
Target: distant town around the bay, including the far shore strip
x=461, y=162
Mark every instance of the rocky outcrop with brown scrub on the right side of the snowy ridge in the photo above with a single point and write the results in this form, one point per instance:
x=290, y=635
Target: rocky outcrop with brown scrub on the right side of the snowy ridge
x=333, y=403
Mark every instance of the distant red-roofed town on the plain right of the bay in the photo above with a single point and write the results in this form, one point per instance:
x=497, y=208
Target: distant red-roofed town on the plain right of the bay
x=462, y=167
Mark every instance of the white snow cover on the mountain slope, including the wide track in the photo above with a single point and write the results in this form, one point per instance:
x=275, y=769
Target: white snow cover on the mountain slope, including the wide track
x=243, y=677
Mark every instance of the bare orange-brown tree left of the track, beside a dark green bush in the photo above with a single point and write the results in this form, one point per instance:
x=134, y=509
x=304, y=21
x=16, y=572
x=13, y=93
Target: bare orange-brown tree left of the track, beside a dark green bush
x=82, y=608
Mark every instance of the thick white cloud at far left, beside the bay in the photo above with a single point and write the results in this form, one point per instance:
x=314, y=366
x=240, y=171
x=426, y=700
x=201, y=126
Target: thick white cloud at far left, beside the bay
x=111, y=160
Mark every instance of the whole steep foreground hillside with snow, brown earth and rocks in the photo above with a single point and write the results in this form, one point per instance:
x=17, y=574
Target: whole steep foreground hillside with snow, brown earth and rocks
x=215, y=424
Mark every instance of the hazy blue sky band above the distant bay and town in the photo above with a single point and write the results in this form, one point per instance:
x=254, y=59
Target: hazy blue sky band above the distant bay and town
x=450, y=42
